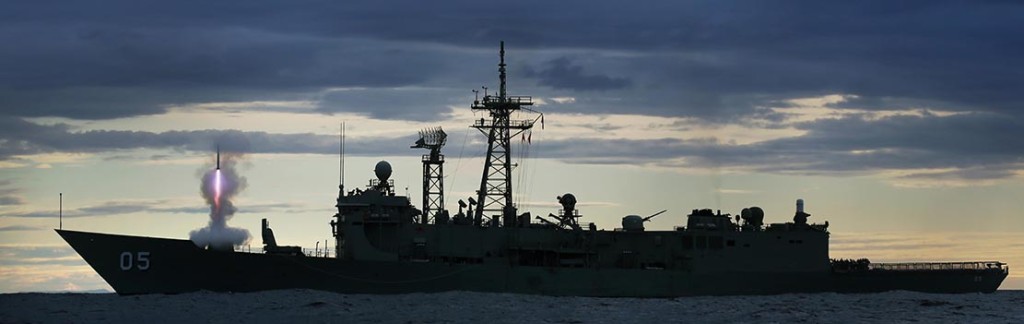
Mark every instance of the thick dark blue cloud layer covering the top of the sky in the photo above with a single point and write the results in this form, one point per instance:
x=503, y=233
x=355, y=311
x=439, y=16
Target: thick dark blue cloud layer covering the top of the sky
x=706, y=59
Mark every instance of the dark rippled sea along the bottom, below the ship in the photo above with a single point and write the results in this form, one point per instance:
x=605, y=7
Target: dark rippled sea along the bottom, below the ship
x=320, y=307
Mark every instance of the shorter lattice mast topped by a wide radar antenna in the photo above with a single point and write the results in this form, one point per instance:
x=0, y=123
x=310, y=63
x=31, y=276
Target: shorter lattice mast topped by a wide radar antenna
x=434, y=173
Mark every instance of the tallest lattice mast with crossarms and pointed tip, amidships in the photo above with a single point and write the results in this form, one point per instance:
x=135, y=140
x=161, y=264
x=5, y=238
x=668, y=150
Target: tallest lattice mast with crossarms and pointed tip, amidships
x=495, y=195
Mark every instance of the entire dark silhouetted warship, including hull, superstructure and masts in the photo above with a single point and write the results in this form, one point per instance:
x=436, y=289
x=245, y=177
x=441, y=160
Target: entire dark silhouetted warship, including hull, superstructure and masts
x=385, y=245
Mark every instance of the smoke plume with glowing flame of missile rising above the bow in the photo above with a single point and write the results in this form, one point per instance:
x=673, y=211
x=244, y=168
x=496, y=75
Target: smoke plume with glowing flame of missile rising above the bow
x=219, y=187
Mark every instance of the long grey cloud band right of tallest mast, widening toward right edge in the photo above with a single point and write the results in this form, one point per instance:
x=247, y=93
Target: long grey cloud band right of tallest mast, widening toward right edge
x=962, y=144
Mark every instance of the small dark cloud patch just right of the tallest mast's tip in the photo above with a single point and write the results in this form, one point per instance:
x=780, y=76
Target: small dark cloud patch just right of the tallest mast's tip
x=563, y=74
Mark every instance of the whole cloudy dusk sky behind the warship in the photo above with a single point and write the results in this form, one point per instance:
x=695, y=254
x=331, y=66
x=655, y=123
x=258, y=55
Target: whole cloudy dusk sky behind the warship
x=900, y=123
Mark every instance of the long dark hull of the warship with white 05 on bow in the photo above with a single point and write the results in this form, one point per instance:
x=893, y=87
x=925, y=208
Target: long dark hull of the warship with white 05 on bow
x=141, y=265
